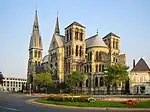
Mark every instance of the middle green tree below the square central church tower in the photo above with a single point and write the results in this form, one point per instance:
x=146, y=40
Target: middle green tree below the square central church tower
x=73, y=78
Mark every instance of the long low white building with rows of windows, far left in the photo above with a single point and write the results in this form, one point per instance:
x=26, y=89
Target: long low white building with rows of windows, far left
x=13, y=84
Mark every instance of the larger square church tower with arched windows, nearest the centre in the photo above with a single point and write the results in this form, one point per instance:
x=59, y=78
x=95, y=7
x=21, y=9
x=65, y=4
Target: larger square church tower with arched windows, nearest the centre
x=74, y=47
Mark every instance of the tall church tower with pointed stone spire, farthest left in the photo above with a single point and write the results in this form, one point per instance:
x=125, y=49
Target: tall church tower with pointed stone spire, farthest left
x=35, y=50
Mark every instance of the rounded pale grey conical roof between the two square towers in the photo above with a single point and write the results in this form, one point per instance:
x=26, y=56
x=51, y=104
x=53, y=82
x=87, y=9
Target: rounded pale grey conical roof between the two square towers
x=95, y=41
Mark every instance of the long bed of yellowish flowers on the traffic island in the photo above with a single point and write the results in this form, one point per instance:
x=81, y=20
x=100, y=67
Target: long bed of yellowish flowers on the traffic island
x=69, y=98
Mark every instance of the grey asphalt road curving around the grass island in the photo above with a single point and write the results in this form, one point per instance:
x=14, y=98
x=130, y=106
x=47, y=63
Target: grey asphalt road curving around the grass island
x=10, y=102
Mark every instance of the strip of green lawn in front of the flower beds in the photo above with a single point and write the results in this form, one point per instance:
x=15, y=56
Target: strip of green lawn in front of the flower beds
x=142, y=104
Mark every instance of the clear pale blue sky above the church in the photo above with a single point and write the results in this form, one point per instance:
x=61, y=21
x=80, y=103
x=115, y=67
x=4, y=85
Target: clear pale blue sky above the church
x=129, y=19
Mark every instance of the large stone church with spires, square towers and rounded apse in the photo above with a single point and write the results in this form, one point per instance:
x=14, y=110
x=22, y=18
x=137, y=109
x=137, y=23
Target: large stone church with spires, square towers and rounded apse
x=74, y=52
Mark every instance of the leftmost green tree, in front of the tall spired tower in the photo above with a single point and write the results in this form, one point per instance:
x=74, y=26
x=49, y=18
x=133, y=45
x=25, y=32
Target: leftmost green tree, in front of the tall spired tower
x=43, y=79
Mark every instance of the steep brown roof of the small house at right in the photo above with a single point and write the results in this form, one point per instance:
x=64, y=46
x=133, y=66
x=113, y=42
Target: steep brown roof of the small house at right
x=141, y=66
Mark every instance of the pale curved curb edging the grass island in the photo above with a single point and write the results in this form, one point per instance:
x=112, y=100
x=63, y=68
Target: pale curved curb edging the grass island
x=32, y=101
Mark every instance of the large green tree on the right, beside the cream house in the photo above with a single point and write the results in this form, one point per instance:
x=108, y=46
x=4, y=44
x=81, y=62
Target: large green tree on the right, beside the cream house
x=115, y=74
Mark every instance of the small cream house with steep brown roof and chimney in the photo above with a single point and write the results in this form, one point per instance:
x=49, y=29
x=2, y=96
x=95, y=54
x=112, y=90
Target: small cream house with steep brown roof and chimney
x=140, y=78
